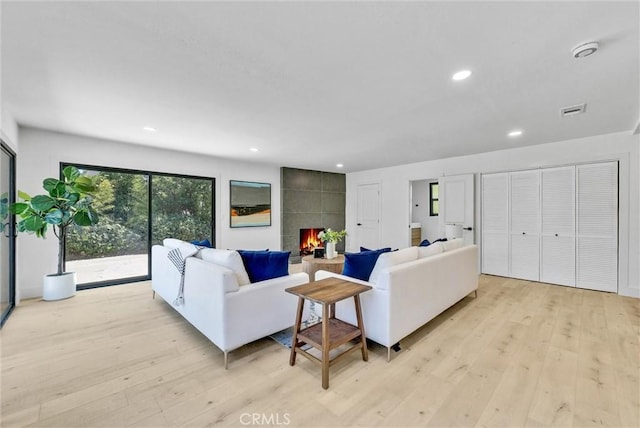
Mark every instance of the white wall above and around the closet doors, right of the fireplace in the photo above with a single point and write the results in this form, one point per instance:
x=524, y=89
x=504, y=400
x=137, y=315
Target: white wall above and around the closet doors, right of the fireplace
x=395, y=185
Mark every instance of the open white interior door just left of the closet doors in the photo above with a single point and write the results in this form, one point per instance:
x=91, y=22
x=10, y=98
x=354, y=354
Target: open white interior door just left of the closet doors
x=457, y=204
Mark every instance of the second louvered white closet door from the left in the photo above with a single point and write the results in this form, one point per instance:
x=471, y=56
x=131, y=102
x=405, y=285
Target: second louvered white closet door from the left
x=524, y=231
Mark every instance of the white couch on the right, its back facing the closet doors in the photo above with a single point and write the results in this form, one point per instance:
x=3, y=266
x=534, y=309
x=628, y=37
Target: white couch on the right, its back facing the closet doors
x=411, y=287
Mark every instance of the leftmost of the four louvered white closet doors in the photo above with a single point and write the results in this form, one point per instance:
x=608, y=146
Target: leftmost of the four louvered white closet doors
x=495, y=224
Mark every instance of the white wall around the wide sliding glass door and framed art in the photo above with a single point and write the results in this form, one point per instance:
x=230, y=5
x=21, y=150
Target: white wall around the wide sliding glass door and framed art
x=42, y=151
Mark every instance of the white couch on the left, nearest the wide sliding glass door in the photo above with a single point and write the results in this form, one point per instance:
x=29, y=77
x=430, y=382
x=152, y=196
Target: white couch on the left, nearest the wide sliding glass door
x=227, y=313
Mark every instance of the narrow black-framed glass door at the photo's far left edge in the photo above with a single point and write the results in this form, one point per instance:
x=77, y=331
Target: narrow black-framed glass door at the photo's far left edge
x=7, y=235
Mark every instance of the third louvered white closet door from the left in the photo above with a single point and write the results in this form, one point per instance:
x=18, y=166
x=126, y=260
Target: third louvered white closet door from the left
x=558, y=240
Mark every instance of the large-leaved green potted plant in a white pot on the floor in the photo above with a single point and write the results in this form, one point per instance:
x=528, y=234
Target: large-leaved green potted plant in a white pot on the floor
x=68, y=201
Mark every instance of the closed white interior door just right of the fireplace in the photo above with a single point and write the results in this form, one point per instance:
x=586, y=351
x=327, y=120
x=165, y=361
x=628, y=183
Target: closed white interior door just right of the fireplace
x=368, y=216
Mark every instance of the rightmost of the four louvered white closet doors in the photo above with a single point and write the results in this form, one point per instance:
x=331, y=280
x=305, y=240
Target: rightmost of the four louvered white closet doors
x=597, y=226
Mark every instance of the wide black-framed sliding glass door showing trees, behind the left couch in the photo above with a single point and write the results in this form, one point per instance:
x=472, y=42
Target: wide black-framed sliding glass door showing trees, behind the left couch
x=137, y=209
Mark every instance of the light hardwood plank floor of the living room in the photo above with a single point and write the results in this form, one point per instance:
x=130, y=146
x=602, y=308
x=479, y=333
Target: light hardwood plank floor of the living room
x=520, y=354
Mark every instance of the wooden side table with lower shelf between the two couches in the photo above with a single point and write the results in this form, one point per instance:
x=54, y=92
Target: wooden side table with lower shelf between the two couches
x=331, y=332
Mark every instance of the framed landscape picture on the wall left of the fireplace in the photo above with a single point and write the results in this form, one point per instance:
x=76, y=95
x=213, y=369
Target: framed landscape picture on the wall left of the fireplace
x=250, y=204
